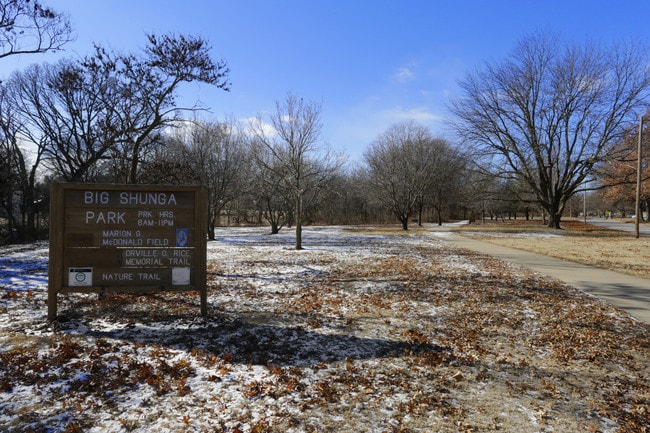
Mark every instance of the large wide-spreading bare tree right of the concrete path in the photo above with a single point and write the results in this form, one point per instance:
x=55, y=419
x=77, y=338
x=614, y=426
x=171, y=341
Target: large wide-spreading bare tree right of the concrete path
x=551, y=112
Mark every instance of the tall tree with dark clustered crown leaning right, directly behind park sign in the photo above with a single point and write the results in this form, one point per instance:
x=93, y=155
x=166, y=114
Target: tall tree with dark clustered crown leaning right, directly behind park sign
x=147, y=87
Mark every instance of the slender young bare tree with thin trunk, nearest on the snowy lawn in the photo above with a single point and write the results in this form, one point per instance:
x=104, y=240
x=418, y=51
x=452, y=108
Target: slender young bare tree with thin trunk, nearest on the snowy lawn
x=298, y=156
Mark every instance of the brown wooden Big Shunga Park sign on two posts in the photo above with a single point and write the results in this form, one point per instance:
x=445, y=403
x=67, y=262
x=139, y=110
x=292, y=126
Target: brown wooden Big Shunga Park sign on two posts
x=126, y=238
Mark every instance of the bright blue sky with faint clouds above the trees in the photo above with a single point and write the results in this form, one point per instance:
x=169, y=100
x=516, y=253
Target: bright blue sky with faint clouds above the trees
x=370, y=63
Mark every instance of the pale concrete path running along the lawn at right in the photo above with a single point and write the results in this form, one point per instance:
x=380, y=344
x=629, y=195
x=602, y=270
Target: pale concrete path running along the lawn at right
x=624, y=291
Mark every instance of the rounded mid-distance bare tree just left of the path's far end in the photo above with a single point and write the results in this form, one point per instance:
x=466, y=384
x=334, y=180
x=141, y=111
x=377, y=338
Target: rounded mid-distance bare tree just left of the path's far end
x=401, y=166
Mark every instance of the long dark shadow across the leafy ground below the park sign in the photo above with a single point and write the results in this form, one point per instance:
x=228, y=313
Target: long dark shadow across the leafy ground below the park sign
x=254, y=338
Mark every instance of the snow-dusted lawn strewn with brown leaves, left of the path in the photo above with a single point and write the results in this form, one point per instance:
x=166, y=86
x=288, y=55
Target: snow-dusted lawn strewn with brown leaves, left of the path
x=368, y=330
